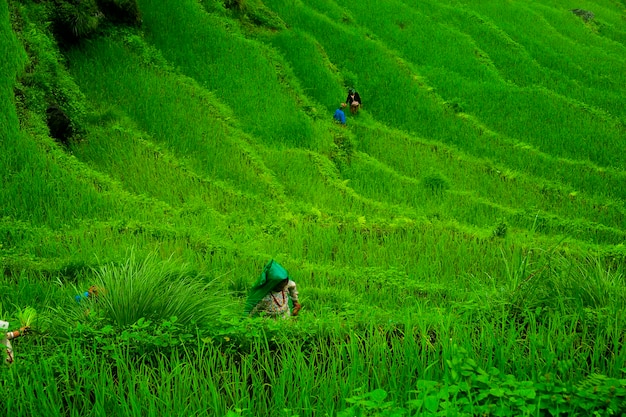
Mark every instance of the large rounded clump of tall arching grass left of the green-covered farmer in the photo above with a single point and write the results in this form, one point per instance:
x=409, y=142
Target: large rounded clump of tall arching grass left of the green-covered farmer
x=154, y=289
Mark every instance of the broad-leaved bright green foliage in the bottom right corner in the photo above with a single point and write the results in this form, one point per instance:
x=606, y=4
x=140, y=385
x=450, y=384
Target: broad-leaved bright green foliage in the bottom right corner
x=471, y=390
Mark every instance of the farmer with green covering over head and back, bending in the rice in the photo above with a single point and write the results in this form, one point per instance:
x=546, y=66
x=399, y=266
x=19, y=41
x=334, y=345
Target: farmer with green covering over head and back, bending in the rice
x=272, y=294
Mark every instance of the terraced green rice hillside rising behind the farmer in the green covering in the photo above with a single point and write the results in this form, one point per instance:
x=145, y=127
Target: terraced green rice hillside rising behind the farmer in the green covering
x=218, y=123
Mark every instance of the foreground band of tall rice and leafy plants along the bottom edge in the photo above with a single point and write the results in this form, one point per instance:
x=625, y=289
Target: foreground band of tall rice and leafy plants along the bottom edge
x=330, y=376
